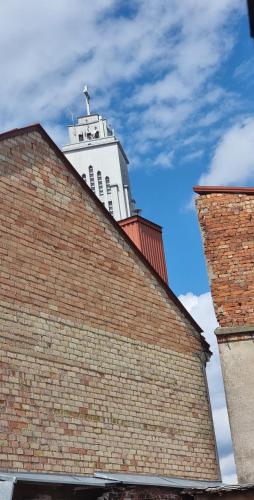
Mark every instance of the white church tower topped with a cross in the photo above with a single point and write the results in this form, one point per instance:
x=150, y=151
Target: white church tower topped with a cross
x=99, y=158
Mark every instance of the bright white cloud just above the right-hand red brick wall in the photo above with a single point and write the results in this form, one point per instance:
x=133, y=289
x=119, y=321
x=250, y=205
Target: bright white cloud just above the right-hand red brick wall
x=233, y=160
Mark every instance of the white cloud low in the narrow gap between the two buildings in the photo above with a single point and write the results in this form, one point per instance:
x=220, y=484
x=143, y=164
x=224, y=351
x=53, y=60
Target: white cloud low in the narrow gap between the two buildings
x=201, y=308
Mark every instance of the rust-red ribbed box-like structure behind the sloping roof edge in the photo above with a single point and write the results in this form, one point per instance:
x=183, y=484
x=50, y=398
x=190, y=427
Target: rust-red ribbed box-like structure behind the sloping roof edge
x=147, y=236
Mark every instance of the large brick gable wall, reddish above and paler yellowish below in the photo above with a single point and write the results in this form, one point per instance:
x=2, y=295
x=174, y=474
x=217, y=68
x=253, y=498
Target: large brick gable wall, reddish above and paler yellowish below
x=100, y=369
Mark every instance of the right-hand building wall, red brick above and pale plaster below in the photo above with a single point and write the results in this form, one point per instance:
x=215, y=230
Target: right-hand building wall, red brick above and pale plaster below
x=226, y=217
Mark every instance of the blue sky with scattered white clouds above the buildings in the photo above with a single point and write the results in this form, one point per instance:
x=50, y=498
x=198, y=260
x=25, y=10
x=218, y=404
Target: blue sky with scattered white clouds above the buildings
x=176, y=80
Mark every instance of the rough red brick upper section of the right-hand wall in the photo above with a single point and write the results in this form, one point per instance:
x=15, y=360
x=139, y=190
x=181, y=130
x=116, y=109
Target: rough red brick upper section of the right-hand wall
x=227, y=225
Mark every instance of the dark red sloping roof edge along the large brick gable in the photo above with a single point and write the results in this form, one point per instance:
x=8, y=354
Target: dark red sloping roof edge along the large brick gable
x=37, y=127
